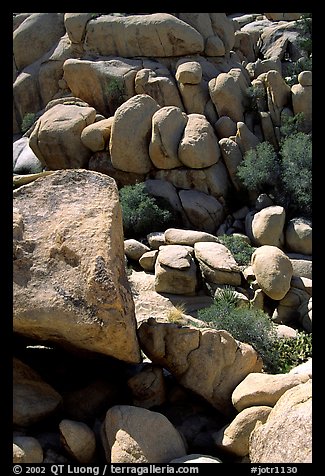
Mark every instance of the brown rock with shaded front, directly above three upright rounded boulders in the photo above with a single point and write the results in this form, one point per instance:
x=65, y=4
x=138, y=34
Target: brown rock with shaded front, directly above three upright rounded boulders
x=160, y=87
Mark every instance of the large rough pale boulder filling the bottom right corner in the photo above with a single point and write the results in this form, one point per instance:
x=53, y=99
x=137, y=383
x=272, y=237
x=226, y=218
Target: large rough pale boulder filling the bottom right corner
x=286, y=437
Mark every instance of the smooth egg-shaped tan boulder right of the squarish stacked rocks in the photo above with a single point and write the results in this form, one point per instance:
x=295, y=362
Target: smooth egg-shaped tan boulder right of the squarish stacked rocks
x=273, y=271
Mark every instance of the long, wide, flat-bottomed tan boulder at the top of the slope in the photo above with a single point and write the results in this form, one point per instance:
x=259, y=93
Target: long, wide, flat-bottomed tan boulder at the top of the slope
x=154, y=35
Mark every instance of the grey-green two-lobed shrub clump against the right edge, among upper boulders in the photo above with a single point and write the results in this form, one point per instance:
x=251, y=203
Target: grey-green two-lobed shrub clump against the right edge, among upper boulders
x=286, y=176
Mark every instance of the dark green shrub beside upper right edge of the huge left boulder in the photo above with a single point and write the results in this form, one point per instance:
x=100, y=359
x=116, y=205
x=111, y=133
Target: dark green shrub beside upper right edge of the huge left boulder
x=143, y=213
